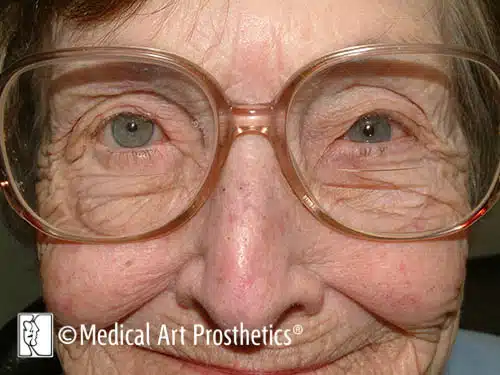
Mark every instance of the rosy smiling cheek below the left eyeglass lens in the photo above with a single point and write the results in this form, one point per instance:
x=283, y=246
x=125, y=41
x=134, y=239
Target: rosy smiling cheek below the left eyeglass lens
x=104, y=283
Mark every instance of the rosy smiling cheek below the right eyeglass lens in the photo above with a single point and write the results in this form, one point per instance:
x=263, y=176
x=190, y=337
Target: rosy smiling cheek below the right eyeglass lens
x=409, y=285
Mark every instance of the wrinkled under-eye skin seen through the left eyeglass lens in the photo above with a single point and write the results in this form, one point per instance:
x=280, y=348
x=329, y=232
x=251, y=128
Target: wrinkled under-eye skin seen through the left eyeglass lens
x=88, y=197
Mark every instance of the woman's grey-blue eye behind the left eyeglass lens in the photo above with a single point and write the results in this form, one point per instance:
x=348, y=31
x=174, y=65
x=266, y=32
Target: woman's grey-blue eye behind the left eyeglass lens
x=130, y=130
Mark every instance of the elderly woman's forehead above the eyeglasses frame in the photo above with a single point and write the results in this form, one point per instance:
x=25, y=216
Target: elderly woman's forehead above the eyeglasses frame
x=252, y=47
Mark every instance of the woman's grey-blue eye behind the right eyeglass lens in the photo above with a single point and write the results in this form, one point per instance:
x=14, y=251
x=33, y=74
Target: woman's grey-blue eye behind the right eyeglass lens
x=372, y=128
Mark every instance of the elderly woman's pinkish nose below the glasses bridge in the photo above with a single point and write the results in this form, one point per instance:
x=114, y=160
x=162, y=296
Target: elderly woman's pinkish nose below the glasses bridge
x=250, y=271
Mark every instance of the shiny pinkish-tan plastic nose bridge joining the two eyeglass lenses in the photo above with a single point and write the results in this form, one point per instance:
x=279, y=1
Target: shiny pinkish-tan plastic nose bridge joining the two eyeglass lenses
x=251, y=119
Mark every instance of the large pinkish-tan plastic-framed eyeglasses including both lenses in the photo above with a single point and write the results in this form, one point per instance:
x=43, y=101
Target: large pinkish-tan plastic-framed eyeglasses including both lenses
x=391, y=142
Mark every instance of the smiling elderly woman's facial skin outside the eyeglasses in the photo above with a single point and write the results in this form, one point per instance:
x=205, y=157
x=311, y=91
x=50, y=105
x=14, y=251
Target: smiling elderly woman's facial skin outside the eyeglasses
x=253, y=255
